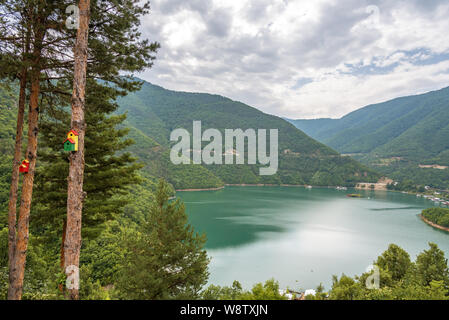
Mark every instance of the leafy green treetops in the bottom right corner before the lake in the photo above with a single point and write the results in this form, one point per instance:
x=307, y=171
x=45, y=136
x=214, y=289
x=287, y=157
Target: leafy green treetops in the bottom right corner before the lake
x=400, y=279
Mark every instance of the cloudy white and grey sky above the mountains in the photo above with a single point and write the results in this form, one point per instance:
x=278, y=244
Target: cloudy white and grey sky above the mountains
x=301, y=59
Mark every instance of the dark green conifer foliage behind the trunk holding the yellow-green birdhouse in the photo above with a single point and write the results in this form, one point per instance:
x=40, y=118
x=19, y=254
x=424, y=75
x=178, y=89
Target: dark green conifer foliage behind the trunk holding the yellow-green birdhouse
x=109, y=171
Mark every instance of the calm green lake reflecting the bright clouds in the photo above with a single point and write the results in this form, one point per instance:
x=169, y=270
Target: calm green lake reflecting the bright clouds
x=302, y=237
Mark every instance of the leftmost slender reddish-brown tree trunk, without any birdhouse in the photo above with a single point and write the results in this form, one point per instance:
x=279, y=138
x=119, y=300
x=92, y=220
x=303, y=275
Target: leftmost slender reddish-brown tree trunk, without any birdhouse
x=12, y=207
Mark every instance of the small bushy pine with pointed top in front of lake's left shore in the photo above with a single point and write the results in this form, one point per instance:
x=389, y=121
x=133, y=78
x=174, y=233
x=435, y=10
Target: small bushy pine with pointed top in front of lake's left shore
x=166, y=260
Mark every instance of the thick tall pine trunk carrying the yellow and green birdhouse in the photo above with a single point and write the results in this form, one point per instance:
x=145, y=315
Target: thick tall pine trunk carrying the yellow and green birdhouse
x=75, y=194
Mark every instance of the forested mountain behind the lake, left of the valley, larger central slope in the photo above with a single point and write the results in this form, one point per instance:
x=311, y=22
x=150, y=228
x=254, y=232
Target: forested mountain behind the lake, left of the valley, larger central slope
x=153, y=112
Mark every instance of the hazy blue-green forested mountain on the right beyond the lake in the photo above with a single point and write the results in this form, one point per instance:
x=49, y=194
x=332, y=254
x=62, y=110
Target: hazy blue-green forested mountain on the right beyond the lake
x=404, y=133
